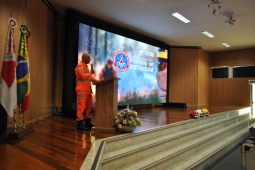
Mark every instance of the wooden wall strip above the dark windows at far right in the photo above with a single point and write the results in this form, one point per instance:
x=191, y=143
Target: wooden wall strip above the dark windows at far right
x=234, y=58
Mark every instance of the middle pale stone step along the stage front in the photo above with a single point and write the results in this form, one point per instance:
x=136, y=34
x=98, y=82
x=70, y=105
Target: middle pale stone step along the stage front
x=169, y=144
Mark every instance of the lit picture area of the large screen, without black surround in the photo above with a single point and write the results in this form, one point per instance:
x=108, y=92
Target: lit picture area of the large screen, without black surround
x=142, y=68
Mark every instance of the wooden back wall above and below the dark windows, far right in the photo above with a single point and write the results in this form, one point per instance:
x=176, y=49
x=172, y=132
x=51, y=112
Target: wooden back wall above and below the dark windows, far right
x=232, y=91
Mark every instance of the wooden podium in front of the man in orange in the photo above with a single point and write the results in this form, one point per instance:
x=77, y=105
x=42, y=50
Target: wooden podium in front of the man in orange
x=106, y=104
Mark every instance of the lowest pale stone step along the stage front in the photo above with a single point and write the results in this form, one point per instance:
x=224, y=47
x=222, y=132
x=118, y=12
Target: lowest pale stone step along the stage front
x=193, y=154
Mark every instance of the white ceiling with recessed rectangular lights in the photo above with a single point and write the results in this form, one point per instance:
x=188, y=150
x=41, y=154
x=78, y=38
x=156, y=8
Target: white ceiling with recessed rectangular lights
x=153, y=18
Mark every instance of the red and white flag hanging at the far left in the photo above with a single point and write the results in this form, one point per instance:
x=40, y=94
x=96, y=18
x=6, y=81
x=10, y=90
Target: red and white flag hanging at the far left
x=8, y=89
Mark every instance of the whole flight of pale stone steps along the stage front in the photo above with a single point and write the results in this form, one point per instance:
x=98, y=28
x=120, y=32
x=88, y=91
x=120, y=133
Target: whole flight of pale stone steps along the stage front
x=181, y=145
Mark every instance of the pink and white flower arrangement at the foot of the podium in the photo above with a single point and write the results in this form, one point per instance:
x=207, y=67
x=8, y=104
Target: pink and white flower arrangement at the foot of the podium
x=127, y=117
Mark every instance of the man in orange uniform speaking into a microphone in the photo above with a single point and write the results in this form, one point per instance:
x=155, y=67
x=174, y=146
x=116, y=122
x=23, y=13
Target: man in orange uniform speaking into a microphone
x=84, y=92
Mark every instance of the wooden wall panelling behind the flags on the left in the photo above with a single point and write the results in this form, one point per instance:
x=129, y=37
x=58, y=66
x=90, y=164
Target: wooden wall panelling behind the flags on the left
x=40, y=21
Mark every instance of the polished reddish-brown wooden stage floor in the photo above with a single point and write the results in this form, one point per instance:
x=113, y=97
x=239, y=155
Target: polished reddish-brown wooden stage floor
x=56, y=144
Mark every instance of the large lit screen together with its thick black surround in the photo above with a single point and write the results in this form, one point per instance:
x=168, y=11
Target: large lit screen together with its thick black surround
x=138, y=60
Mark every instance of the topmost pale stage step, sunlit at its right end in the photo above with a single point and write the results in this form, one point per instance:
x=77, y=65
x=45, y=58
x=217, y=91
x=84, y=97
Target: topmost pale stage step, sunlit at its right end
x=175, y=128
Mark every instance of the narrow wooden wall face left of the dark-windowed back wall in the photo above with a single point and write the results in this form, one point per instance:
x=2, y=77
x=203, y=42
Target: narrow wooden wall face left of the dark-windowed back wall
x=204, y=77
